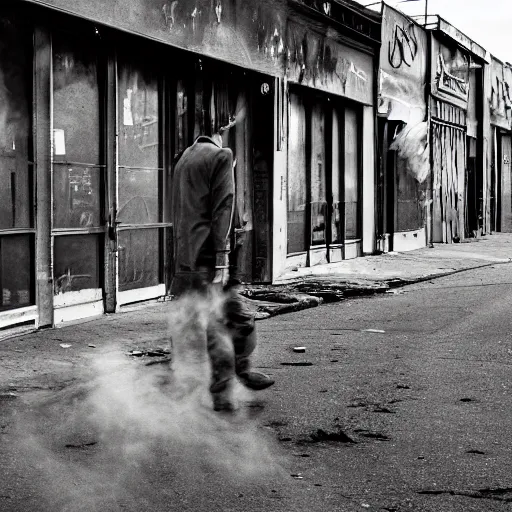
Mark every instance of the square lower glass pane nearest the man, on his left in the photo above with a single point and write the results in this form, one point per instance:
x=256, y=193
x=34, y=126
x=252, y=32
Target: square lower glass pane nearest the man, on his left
x=139, y=258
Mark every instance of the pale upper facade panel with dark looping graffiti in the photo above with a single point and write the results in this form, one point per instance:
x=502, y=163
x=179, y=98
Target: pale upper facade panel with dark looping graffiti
x=403, y=67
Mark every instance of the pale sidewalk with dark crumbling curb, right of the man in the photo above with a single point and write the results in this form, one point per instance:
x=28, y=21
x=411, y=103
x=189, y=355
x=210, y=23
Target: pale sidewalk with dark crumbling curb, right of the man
x=378, y=274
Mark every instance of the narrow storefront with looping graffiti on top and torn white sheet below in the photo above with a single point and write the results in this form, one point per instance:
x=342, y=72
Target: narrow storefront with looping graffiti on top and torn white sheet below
x=404, y=179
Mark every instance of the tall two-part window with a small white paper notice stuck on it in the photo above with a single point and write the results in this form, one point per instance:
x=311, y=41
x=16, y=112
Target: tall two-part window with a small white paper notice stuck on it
x=78, y=168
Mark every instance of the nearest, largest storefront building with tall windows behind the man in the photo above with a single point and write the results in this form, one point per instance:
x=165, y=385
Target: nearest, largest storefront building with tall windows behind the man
x=100, y=97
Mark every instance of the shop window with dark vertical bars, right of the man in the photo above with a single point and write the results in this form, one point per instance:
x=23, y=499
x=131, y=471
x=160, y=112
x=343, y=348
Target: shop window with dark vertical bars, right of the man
x=324, y=178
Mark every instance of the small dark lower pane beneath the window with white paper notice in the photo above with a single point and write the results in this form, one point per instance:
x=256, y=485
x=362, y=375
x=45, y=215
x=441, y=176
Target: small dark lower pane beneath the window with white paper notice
x=76, y=263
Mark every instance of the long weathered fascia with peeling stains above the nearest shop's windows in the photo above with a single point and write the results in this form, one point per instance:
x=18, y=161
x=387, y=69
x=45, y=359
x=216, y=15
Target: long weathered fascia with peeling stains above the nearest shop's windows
x=272, y=37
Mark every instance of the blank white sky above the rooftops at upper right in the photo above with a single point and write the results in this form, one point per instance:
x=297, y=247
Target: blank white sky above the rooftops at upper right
x=487, y=22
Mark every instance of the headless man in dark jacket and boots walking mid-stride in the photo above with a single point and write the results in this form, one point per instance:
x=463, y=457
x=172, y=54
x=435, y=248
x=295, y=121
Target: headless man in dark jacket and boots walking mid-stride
x=202, y=210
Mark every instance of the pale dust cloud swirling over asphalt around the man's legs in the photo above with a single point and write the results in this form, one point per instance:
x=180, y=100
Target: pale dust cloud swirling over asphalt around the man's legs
x=126, y=425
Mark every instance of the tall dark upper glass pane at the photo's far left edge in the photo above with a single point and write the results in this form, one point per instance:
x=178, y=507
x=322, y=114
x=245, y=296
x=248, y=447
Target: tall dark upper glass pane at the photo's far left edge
x=15, y=124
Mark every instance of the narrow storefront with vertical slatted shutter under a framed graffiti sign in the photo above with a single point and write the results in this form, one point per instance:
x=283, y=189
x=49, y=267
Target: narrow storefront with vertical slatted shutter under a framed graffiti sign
x=456, y=134
